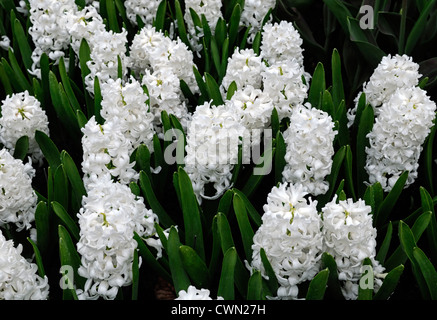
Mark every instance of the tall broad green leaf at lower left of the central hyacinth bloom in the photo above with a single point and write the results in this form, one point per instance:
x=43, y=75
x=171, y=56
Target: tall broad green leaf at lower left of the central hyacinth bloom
x=191, y=214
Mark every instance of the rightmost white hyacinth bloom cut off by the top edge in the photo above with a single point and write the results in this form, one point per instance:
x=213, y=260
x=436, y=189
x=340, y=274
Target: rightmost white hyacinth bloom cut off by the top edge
x=253, y=14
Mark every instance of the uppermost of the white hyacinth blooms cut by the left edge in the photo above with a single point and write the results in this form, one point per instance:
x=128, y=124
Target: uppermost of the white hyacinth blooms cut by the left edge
x=22, y=115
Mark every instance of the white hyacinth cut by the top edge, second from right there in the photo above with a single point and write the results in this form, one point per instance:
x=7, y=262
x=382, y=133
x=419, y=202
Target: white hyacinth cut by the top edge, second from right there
x=211, y=9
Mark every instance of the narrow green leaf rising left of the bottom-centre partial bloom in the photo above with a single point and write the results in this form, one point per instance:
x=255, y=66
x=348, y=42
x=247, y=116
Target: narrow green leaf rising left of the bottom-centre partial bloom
x=177, y=271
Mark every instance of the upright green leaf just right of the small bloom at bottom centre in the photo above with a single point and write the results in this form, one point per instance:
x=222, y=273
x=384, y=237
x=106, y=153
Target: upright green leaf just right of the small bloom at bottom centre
x=226, y=283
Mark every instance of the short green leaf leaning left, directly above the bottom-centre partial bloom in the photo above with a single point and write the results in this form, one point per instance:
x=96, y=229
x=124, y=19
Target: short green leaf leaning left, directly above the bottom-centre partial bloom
x=195, y=267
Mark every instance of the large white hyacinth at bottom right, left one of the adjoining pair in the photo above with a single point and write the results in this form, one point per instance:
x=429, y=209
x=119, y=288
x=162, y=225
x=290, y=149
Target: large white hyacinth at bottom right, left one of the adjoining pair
x=290, y=235
